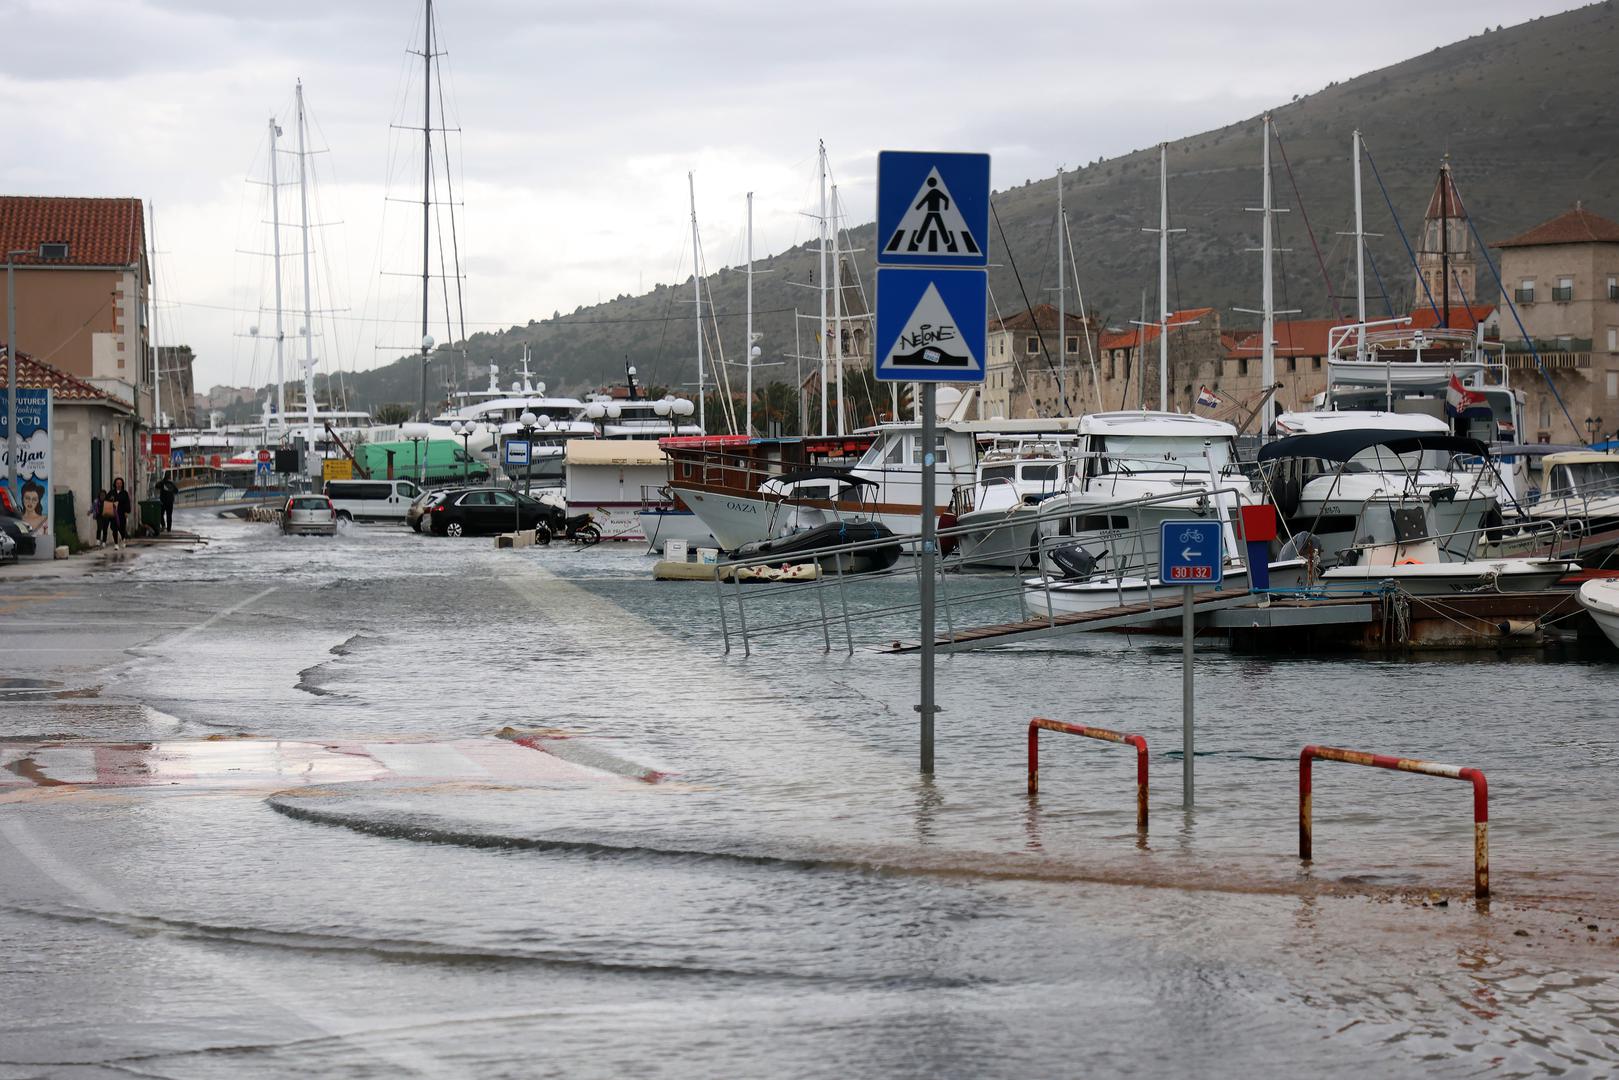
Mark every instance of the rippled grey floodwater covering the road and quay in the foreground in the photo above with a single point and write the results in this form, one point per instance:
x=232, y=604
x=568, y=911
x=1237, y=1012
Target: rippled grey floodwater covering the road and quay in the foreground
x=394, y=806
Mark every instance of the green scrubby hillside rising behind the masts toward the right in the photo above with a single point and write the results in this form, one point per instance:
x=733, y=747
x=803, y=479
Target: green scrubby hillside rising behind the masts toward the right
x=1526, y=116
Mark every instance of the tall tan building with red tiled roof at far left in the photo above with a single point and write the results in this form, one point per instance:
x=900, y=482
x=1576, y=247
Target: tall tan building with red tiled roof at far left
x=82, y=279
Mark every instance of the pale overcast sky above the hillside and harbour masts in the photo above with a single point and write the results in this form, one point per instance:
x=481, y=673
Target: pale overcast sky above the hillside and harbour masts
x=579, y=124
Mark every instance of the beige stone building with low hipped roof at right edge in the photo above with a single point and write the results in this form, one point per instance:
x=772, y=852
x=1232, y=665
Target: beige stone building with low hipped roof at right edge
x=1563, y=279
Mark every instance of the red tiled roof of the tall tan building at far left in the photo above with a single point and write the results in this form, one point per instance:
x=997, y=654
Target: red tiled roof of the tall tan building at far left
x=98, y=232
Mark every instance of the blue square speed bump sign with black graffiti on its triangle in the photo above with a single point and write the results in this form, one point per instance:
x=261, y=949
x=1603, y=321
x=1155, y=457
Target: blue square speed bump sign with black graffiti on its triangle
x=932, y=326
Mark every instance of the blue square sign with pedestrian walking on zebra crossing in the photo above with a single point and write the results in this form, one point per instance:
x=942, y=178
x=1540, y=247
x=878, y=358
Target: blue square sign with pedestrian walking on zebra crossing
x=933, y=210
